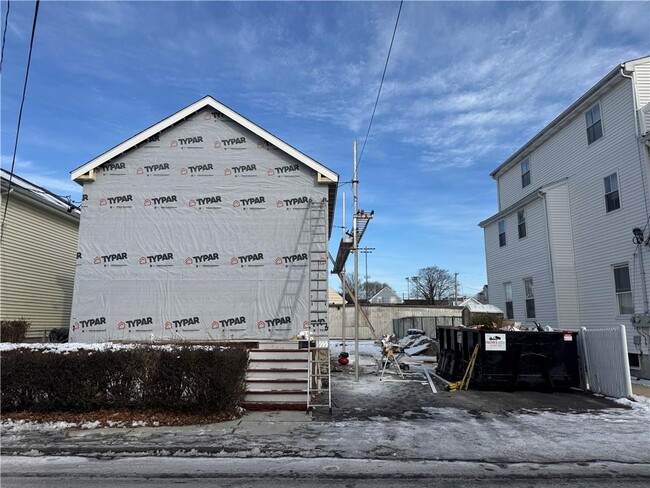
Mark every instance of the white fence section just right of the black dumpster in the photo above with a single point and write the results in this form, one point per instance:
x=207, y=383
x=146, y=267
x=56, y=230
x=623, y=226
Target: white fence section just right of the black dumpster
x=605, y=366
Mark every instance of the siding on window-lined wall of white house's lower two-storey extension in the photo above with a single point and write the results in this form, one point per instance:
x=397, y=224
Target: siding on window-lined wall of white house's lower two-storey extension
x=519, y=259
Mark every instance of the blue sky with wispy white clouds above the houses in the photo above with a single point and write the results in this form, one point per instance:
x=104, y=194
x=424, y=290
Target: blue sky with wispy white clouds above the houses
x=468, y=84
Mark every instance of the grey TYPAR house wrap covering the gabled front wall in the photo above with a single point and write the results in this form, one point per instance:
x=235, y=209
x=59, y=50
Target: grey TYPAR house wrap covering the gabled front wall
x=203, y=232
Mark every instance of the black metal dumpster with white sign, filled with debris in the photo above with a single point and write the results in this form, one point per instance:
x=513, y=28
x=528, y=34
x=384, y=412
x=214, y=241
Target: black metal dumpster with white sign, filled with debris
x=510, y=360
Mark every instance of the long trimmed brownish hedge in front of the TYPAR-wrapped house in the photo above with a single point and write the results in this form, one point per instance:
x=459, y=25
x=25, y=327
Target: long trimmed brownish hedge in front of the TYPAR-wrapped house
x=183, y=379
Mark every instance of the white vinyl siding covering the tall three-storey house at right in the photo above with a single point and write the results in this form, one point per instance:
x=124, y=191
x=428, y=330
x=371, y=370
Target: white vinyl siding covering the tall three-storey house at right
x=583, y=239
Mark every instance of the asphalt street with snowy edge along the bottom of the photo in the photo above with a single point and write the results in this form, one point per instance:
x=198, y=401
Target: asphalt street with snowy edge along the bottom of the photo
x=305, y=473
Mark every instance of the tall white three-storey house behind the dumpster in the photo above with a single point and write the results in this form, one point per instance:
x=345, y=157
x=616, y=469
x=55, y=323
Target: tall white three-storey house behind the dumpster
x=560, y=250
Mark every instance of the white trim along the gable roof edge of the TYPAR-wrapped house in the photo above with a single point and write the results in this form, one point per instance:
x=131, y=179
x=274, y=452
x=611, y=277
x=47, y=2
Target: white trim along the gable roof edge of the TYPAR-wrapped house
x=207, y=101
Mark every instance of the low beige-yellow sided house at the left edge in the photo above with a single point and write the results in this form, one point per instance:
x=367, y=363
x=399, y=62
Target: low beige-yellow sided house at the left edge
x=37, y=256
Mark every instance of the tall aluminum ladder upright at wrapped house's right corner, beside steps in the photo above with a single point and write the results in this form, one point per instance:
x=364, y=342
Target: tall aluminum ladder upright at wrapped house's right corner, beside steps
x=319, y=393
